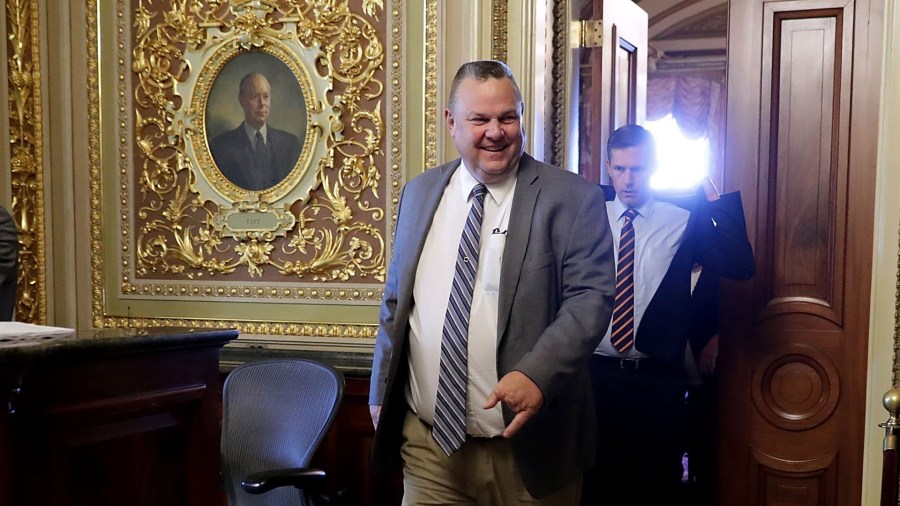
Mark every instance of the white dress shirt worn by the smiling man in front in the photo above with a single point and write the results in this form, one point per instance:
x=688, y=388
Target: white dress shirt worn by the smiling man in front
x=431, y=293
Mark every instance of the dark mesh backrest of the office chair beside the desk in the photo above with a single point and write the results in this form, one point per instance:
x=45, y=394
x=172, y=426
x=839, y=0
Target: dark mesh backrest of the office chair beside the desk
x=275, y=415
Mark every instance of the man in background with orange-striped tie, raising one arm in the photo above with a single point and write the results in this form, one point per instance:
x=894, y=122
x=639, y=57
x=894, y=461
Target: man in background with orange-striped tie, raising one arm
x=638, y=369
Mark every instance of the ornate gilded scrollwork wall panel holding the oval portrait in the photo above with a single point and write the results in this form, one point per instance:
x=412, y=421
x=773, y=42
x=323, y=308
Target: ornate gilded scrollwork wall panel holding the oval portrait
x=306, y=251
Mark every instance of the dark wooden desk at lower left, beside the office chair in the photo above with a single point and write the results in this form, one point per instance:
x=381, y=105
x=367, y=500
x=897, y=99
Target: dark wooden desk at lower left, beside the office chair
x=112, y=417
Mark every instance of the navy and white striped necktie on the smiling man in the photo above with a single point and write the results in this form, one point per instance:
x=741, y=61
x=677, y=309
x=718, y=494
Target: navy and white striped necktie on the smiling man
x=450, y=407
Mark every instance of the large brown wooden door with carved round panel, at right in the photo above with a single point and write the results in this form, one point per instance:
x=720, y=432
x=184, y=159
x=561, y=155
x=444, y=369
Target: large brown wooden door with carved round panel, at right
x=803, y=87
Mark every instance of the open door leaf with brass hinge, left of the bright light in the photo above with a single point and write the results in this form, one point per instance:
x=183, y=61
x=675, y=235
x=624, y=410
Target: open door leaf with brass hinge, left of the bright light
x=613, y=78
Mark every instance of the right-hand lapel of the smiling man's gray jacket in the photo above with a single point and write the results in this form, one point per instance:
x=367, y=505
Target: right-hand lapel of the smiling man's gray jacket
x=518, y=231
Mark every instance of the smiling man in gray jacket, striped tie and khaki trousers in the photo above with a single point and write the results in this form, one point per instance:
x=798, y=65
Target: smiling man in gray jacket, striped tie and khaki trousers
x=528, y=316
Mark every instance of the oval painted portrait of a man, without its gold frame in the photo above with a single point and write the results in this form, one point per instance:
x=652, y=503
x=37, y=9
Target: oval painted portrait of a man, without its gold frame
x=255, y=121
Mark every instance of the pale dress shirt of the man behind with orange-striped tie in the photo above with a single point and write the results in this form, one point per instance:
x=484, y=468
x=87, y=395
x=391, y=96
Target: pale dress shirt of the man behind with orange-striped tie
x=658, y=231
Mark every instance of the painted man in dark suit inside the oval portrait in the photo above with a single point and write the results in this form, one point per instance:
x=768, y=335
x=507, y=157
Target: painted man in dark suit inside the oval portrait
x=254, y=156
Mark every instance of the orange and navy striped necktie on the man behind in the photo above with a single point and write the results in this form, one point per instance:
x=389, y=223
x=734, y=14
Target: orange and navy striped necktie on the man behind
x=622, y=333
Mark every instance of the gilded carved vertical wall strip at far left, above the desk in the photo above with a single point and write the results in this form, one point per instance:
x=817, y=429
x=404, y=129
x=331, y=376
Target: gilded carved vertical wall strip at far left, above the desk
x=25, y=144
